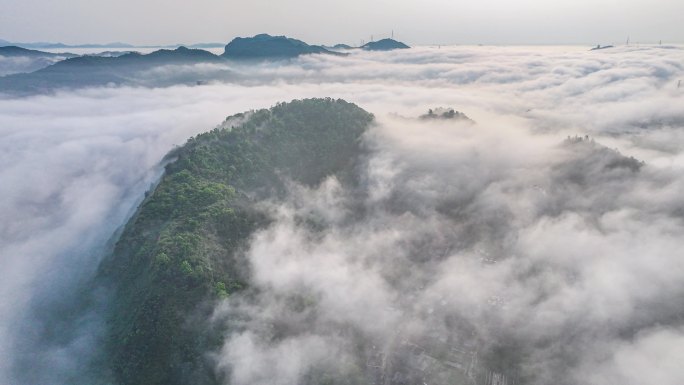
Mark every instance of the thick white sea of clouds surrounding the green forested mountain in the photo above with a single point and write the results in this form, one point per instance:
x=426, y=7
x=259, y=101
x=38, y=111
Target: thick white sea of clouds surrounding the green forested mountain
x=532, y=243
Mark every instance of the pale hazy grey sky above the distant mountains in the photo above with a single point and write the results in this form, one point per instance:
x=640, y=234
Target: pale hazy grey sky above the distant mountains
x=149, y=22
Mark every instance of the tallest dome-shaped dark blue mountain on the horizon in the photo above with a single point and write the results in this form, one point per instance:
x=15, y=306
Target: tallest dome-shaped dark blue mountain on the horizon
x=265, y=46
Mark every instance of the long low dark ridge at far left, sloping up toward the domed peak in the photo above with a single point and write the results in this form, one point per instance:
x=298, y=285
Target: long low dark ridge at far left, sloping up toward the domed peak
x=86, y=71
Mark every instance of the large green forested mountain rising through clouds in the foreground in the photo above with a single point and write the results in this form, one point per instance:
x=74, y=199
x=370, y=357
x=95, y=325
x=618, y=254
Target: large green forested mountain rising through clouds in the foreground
x=180, y=252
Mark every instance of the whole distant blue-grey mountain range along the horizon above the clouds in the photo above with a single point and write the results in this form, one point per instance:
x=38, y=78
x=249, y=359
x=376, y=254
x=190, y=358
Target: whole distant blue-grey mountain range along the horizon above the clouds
x=50, y=71
